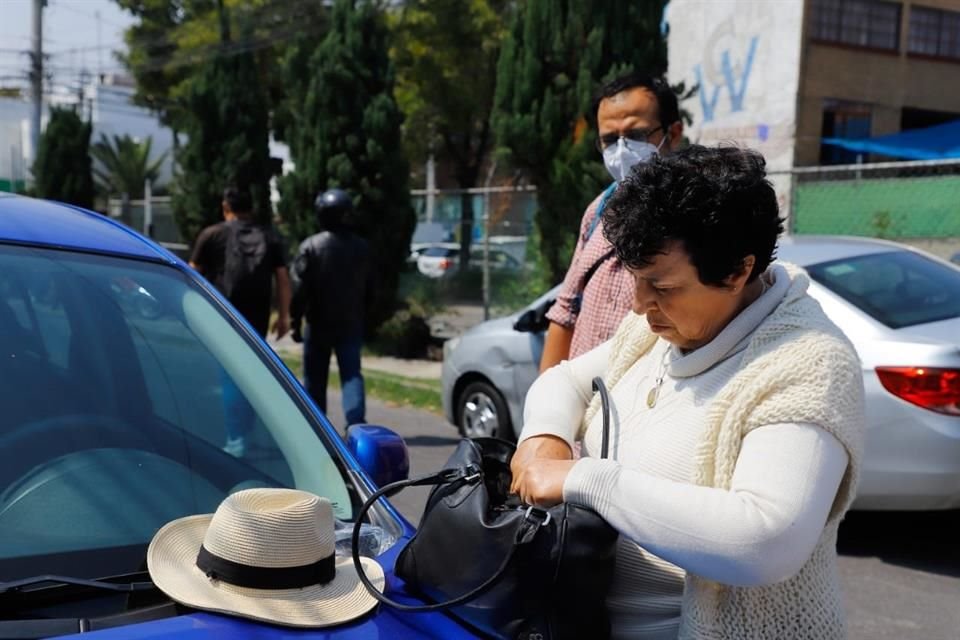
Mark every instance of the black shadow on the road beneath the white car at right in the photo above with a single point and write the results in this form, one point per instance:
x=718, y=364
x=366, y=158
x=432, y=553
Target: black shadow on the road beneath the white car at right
x=926, y=541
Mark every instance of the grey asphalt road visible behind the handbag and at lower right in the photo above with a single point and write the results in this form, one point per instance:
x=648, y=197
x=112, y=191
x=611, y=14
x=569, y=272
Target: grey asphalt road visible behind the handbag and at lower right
x=901, y=571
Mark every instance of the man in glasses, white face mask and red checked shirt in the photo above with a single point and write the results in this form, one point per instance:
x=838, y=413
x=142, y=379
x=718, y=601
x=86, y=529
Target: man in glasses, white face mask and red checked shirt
x=637, y=117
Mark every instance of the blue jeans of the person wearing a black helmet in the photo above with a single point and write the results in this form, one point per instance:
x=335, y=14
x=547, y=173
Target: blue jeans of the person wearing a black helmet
x=316, y=370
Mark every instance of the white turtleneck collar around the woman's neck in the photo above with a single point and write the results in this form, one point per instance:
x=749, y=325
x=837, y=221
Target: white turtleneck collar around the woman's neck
x=735, y=337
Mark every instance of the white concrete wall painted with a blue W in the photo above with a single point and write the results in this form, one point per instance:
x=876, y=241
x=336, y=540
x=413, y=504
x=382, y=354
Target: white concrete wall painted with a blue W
x=745, y=57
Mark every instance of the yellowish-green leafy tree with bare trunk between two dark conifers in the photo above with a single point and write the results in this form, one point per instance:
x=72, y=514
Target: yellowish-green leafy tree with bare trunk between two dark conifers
x=446, y=55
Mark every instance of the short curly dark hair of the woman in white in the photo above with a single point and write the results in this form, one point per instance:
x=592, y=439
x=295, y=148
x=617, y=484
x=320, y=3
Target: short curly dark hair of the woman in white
x=717, y=202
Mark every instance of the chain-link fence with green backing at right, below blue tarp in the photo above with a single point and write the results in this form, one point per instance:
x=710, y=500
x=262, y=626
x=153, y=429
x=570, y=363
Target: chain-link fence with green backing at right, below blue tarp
x=917, y=203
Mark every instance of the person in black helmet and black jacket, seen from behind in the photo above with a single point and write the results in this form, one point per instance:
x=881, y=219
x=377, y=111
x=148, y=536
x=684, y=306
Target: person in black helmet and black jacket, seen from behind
x=332, y=273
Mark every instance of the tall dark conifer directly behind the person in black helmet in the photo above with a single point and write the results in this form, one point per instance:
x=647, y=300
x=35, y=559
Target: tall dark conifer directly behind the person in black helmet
x=343, y=130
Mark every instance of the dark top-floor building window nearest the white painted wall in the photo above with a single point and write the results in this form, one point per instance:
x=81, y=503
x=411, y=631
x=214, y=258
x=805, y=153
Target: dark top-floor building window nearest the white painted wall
x=873, y=24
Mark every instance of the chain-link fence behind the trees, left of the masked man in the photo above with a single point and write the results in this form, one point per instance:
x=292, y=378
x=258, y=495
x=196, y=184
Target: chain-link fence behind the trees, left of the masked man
x=503, y=273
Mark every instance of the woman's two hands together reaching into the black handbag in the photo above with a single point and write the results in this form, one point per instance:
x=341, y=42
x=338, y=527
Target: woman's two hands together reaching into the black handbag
x=539, y=467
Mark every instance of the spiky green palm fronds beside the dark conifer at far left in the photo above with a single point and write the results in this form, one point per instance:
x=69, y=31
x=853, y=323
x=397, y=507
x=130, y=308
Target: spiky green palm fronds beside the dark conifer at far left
x=125, y=164
